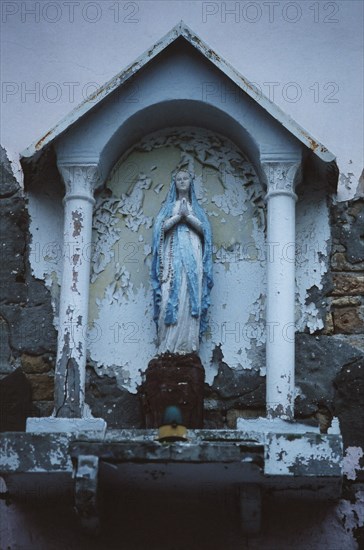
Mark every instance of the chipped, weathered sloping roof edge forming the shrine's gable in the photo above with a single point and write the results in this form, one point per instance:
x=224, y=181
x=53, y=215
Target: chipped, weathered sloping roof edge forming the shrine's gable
x=181, y=30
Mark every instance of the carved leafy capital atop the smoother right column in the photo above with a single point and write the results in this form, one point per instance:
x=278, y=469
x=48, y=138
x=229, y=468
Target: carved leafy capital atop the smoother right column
x=282, y=177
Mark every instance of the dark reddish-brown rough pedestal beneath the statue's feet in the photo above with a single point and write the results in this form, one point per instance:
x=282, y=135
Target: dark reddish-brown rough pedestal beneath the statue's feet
x=173, y=380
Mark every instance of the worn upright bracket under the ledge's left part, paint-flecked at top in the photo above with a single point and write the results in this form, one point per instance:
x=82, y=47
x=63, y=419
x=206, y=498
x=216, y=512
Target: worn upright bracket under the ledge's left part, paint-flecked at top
x=86, y=486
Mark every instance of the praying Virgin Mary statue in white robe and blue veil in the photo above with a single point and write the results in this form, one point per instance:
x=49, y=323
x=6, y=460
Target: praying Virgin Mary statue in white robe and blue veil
x=181, y=268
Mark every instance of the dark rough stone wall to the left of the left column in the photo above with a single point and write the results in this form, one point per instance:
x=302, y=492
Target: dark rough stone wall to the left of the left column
x=27, y=334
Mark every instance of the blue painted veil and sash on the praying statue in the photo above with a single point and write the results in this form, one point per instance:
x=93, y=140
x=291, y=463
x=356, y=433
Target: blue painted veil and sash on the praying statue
x=182, y=257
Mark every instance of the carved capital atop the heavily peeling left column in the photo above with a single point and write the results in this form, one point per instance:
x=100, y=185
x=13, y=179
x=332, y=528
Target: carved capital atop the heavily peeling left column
x=81, y=180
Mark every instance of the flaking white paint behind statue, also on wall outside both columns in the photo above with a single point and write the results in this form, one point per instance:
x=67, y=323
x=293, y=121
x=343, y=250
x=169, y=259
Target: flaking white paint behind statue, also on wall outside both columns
x=121, y=333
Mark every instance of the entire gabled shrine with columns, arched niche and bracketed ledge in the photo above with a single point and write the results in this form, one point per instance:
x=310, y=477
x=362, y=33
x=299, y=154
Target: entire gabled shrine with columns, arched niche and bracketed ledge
x=265, y=195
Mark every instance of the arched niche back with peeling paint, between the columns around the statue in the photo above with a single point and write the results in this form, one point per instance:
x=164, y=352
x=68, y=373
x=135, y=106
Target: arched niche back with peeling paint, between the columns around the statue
x=122, y=339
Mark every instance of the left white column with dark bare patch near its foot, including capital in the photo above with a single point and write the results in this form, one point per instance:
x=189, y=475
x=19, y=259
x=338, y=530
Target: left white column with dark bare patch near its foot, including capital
x=80, y=183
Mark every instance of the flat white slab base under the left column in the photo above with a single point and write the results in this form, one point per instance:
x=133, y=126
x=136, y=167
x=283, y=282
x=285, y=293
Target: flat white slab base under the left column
x=52, y=424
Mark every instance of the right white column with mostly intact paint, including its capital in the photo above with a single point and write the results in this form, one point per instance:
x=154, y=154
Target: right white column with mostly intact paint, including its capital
x=280, y=313
